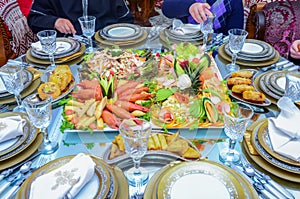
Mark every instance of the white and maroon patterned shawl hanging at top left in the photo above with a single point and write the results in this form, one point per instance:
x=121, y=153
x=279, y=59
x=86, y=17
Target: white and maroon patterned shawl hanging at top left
x=16, y=22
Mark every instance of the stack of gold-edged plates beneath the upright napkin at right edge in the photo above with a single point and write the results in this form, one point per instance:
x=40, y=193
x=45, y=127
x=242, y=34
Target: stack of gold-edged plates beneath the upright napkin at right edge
x=268, y=159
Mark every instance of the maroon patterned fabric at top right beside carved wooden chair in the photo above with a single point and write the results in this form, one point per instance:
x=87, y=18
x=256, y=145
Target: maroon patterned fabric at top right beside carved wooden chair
x=282, y=25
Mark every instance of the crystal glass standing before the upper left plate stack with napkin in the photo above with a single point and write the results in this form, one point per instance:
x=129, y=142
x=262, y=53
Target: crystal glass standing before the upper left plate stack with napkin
x=48, y=42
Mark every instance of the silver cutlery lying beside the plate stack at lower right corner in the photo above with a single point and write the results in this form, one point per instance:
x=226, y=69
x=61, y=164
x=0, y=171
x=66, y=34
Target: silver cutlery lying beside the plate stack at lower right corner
x=250, y=170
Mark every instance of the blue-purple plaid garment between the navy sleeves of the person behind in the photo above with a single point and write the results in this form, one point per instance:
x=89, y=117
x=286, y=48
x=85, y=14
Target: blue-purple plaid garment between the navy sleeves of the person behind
x=221, y=9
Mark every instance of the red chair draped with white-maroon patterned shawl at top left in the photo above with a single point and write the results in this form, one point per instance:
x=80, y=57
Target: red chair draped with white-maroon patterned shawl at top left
x=16, y=36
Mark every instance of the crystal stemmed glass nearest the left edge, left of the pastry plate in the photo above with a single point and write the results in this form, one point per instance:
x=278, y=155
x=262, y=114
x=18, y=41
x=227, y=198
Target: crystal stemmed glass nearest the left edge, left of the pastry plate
x=13, y=79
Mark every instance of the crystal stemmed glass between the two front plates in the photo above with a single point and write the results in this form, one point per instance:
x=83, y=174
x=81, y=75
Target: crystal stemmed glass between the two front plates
x=135, y=133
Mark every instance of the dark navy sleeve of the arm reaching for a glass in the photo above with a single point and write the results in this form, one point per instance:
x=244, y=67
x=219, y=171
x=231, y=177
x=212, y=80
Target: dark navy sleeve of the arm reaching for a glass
x=176, y=8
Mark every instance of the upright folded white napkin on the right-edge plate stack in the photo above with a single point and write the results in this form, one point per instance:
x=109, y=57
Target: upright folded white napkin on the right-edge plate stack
x=284, y=131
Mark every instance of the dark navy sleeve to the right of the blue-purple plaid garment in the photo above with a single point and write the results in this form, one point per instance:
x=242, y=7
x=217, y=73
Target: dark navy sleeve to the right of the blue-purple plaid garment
x=235, y=19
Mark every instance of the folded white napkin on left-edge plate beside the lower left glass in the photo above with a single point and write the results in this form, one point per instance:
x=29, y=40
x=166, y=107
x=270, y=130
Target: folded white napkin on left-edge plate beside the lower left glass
x=11, y=127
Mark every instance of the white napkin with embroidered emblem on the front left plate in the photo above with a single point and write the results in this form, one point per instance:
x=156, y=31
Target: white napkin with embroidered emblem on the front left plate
x=66, y=181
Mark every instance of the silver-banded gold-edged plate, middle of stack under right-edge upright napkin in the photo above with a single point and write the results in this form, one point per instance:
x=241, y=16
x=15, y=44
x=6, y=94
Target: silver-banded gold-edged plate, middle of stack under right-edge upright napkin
x=267, y=157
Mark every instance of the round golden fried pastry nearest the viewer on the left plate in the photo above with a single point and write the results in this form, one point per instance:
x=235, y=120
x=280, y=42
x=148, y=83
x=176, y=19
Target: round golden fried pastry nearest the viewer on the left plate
x=48, y=88
